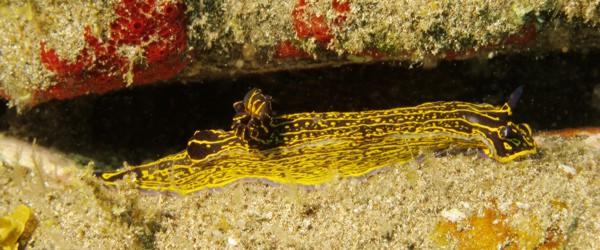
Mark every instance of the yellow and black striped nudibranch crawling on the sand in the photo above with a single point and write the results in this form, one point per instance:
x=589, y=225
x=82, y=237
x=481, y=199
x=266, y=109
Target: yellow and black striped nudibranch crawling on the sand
x=313, y=148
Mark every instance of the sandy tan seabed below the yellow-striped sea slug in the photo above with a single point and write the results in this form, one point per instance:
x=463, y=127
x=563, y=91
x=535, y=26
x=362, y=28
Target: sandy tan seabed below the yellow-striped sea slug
x=551, y=200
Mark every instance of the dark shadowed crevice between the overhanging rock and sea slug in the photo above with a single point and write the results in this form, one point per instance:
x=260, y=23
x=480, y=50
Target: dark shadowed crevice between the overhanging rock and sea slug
x=144, y=123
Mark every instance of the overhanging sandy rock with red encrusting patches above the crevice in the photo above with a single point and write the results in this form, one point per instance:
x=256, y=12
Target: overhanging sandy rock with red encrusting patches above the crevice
x=62, y=49
